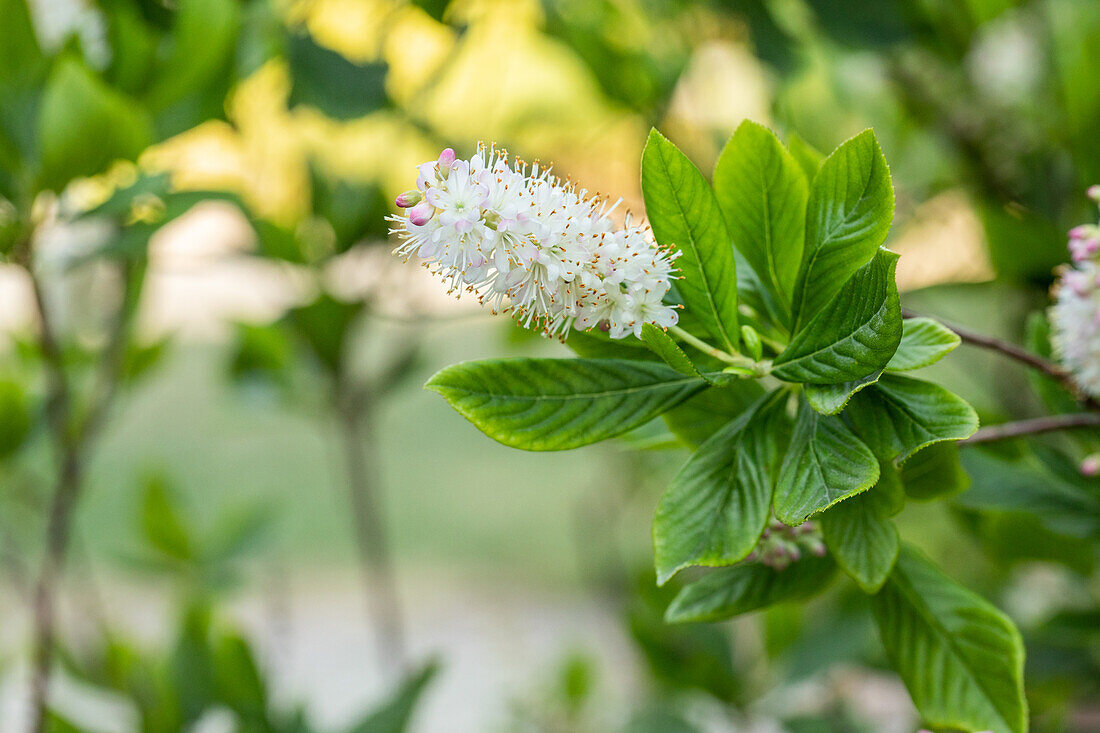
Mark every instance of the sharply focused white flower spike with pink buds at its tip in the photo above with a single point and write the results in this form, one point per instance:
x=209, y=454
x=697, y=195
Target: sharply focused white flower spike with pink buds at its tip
x=531, y=245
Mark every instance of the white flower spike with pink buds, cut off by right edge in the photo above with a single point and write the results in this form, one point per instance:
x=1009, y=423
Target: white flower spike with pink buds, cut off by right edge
x=1075, y=316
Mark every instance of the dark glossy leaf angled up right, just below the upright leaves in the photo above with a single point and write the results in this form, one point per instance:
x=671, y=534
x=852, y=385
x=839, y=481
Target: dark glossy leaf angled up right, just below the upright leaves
x=854, y=336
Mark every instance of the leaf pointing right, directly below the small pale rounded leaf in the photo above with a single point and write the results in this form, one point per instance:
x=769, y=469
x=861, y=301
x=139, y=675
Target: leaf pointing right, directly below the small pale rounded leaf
x=900, y=415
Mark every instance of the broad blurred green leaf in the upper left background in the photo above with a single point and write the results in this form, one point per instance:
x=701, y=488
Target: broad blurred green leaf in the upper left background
x=84, y=126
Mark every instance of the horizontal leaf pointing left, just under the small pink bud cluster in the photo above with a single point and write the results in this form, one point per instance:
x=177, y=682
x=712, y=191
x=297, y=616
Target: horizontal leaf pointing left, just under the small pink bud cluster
x=733, y=592
